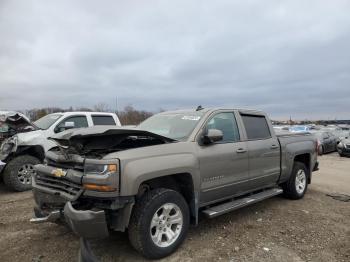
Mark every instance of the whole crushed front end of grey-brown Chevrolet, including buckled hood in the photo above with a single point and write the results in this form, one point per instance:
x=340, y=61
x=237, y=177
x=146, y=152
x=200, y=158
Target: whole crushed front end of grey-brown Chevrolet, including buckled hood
x=80, y=185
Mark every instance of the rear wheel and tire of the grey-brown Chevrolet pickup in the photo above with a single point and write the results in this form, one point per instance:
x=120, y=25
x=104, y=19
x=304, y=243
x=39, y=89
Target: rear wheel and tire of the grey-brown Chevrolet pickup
x=296, y=187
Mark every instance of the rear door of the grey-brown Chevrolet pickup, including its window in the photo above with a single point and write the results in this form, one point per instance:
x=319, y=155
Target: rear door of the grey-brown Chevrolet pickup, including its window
x=263, y=151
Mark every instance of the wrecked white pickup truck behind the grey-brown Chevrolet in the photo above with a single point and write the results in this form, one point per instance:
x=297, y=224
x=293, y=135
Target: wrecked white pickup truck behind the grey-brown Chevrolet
x=22, y=149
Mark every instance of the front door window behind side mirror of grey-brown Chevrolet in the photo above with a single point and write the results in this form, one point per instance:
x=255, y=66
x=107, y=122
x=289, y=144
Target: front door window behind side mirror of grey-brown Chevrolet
x=226, y=122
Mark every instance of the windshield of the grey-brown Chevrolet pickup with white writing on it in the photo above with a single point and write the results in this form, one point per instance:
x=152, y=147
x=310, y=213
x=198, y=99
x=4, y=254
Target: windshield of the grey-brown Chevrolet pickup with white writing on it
x=177, y=126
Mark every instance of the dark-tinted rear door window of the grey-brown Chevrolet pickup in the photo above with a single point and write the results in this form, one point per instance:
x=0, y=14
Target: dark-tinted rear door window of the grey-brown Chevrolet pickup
x=256, y=127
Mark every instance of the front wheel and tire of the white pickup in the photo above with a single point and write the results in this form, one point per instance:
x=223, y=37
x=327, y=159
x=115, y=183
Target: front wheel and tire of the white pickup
x=18, y=172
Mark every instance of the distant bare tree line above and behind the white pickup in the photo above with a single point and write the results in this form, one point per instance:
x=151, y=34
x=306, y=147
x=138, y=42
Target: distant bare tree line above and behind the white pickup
x=128, y=116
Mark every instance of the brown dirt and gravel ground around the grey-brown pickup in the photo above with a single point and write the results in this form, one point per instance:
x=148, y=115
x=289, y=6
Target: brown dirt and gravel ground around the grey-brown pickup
x=316, y=228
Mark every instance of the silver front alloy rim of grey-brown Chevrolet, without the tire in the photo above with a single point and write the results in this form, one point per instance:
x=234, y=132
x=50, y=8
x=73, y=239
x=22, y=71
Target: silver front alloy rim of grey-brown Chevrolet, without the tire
x=166, y=225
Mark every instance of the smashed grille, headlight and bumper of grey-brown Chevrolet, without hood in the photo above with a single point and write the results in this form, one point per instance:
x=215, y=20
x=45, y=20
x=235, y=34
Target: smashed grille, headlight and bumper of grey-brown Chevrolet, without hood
x=82, y=192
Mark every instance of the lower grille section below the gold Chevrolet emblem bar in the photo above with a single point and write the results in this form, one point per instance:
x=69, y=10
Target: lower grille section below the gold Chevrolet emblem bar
x=58, y=185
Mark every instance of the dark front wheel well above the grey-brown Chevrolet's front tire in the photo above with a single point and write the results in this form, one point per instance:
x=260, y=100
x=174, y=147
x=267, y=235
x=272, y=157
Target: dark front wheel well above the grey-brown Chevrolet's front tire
x=181, y=183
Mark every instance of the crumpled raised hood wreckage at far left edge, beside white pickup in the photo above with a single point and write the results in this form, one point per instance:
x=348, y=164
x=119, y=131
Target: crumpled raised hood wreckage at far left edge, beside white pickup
x=12, y=123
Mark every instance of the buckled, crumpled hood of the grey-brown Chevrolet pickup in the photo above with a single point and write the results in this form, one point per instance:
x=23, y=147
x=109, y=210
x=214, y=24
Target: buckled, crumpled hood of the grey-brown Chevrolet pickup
x=101, y=140
